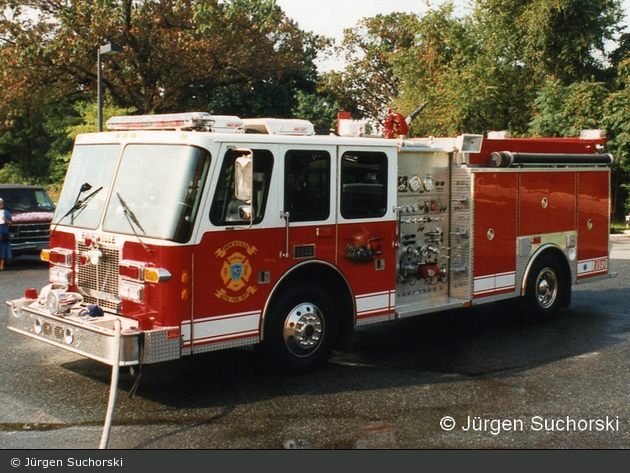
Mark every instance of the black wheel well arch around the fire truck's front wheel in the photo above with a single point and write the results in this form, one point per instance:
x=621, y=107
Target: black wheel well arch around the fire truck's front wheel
x=329, y=278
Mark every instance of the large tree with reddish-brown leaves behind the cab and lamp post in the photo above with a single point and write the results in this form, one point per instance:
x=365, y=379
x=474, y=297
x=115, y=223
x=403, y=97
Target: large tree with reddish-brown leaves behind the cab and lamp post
x=241, y=57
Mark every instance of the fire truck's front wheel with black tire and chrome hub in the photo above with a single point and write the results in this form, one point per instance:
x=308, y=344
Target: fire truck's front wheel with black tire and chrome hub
x=299, y=329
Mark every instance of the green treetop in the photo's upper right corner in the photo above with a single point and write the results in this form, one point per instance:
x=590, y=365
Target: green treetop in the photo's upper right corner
x=560, y=39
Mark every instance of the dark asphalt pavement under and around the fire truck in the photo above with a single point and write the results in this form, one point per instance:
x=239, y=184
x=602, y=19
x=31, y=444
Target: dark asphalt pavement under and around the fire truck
x=479, y=378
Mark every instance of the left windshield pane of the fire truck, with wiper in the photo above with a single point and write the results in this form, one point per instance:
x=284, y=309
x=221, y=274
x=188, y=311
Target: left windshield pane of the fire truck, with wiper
x=91, y=168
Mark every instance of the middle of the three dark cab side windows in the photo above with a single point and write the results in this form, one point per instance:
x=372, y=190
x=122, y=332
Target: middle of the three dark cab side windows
x=307, y=185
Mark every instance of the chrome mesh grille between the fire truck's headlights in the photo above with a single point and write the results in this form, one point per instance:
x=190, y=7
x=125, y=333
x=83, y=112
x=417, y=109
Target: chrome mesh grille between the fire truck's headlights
x=99, y=283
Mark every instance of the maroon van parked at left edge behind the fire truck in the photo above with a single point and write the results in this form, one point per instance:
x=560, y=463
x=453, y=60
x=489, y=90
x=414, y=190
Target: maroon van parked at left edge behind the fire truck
x=31, y=211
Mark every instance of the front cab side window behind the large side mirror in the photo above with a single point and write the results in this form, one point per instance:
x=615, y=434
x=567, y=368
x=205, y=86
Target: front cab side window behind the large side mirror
x=227, y=208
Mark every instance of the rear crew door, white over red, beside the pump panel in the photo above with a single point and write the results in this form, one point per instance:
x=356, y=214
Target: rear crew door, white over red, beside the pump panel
x=366, y=251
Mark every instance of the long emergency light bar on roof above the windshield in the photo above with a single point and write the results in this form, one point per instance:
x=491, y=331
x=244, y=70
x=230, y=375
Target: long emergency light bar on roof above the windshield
x=173, y=121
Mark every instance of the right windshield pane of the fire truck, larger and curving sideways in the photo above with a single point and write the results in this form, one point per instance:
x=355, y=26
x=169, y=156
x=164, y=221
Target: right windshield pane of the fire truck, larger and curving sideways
x=157, y=191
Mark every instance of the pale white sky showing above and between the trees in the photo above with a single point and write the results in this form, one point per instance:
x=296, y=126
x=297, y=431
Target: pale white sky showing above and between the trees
x=331, y=17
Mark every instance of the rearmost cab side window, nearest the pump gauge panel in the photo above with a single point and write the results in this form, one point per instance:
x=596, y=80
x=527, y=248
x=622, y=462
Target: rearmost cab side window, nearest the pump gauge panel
x=363, y=185
